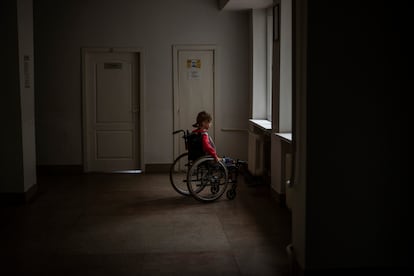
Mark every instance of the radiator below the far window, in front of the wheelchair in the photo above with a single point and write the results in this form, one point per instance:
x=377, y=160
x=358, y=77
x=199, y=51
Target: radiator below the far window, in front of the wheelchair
x=256, y=154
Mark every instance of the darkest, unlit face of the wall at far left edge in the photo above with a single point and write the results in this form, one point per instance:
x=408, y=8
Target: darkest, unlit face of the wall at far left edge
x=11, y=159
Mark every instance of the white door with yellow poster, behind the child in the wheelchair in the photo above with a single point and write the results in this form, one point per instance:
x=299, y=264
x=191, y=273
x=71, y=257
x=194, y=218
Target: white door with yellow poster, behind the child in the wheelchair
x=195, y=89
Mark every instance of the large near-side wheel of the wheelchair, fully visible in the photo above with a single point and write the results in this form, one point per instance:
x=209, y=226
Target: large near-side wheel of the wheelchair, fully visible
x=207, y=180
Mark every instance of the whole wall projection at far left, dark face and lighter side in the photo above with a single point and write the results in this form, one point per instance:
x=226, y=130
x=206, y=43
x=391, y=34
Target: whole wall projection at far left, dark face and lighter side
x=18, y=151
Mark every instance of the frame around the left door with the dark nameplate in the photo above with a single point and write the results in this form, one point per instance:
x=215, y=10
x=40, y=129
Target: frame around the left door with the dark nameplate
x=85, y=52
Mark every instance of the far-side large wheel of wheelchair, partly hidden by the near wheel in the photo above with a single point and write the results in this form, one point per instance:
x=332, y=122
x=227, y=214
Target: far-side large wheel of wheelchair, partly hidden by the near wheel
x=178, y=174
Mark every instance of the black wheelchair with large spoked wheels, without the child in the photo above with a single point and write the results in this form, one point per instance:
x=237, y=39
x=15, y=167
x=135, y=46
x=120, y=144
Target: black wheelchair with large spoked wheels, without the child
x=201, y=176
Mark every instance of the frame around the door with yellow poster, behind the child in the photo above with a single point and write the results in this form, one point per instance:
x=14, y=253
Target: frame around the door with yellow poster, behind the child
x=176, y=107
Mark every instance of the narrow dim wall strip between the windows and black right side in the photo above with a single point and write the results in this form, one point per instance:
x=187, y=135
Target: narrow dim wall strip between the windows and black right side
x=299, y=188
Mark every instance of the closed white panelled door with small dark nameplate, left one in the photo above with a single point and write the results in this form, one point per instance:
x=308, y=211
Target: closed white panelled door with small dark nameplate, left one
x=111, y=102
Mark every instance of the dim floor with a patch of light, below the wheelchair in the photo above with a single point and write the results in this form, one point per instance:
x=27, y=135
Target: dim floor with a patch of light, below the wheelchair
x=119, y=224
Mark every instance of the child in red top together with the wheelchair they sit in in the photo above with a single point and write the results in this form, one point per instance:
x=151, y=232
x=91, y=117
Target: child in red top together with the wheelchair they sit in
x=200, y=172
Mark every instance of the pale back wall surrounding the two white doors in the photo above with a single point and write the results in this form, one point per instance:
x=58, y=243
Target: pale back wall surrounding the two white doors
x=63, y=28
